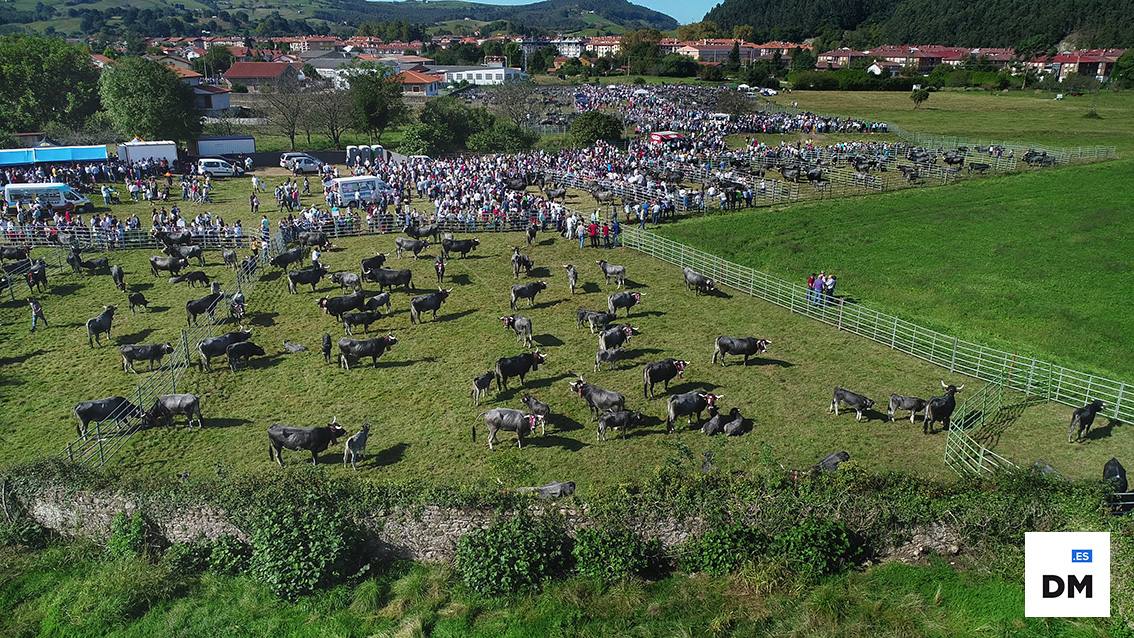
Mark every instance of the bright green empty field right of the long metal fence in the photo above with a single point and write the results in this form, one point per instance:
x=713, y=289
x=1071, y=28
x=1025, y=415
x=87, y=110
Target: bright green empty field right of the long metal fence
x=1036, y=263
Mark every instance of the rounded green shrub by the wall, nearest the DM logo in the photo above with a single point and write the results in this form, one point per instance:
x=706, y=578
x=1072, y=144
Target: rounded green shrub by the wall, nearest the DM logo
x=817, y=547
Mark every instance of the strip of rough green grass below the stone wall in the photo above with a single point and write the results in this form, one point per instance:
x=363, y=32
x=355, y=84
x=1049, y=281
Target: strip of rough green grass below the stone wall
x=72, y=591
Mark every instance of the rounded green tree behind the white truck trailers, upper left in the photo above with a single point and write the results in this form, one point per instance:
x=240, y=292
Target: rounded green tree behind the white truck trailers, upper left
x=147, y=99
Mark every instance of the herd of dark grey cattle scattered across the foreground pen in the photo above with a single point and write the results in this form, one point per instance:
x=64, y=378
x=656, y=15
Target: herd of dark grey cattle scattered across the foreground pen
x=357, y=309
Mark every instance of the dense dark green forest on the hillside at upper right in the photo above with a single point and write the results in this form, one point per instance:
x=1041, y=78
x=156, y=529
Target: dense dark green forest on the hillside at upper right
x=967, y=23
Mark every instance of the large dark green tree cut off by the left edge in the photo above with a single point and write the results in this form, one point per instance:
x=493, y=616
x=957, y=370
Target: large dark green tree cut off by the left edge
x=29, y=101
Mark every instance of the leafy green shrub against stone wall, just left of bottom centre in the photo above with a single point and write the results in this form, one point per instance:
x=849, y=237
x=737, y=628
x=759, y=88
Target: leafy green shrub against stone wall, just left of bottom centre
x=513, y=556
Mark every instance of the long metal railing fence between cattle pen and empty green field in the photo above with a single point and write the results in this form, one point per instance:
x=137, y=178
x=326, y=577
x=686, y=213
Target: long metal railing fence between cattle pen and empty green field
x=1009, y=371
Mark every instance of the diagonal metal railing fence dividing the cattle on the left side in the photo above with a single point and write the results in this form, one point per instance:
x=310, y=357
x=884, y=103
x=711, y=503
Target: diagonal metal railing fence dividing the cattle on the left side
x=105, y=439
